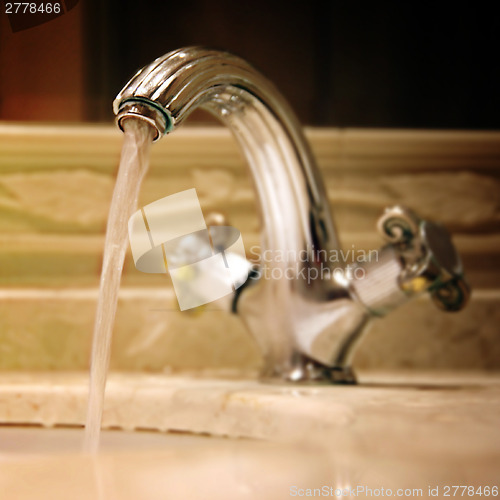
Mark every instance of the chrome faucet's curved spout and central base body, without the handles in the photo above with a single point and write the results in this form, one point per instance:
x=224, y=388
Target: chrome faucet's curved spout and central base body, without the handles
x=304, y=317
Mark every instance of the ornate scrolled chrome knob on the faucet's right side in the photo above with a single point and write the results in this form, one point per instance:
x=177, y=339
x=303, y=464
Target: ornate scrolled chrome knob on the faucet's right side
x=429, y=258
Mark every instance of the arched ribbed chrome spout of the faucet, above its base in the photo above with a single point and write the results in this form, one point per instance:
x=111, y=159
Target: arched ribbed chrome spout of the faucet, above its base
x=292, y=198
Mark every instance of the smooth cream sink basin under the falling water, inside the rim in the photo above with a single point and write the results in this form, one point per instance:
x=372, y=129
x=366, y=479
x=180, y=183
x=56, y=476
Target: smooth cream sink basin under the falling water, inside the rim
x=46, y=464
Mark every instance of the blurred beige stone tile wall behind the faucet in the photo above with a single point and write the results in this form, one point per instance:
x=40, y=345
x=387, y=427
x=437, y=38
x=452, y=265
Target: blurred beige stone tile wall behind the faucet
x=55, y=189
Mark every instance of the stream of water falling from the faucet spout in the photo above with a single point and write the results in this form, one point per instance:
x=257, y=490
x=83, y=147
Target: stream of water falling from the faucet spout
x=134, y=164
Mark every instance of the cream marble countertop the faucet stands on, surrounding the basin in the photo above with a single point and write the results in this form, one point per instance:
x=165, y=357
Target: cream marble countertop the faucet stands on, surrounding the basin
x=395, y=428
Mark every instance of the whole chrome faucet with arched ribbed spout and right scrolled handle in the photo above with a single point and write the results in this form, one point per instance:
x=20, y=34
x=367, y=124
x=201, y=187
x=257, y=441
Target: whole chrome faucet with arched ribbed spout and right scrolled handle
x=305, y=315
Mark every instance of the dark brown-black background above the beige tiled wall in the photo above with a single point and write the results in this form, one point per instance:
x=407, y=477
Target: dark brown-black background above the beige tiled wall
x=341, y=64
